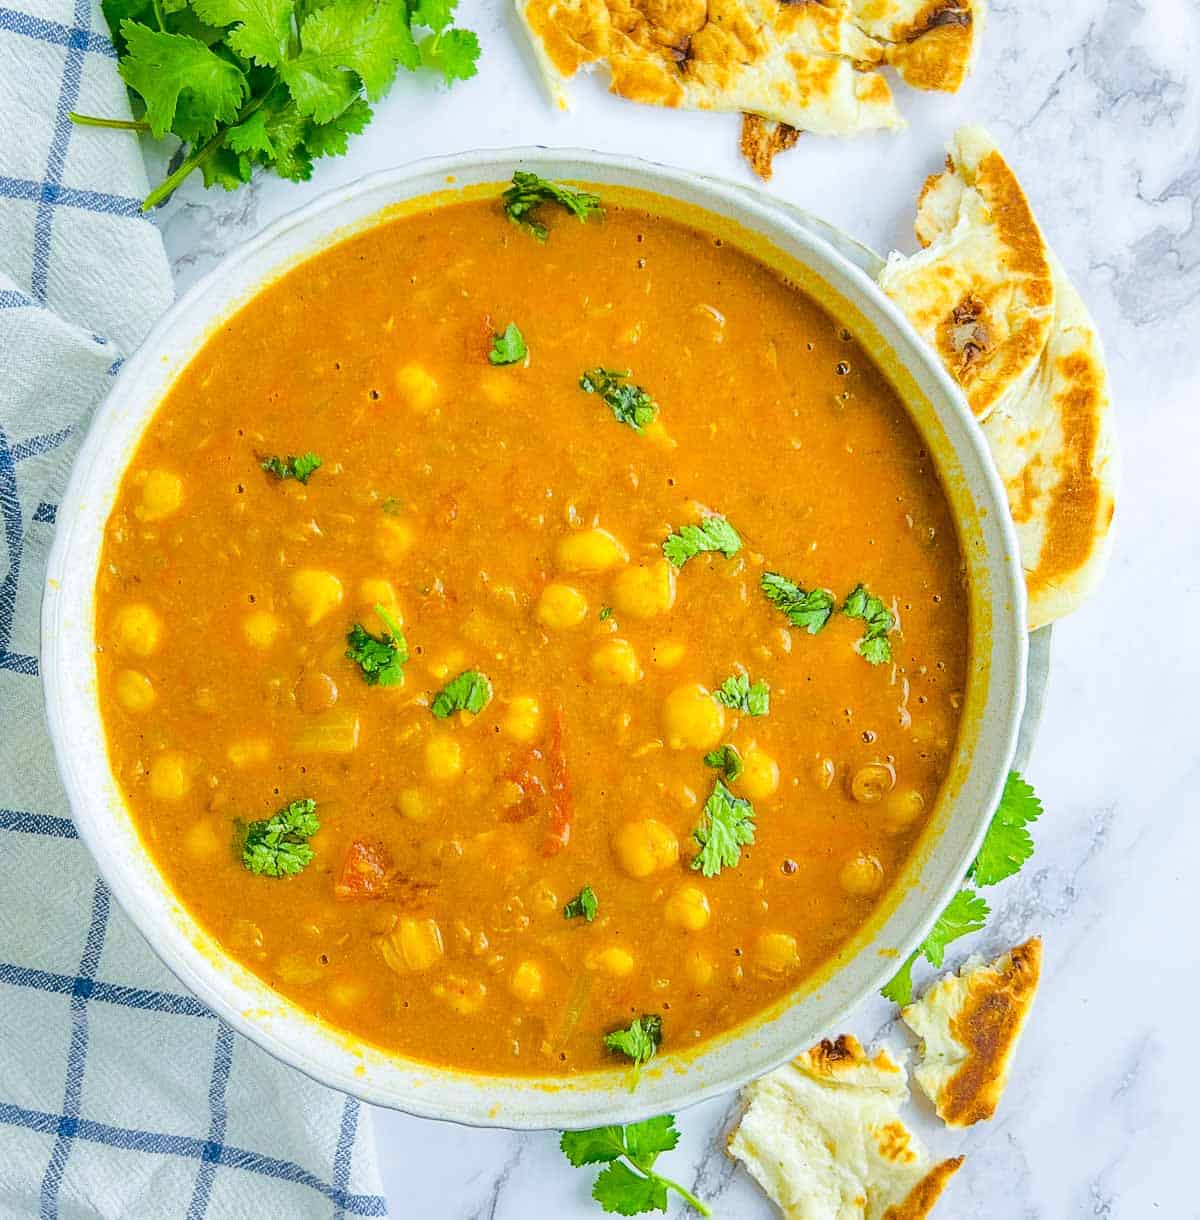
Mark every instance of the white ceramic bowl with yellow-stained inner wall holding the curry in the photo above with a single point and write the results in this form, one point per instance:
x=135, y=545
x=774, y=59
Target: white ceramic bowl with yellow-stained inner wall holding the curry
x=992, y=711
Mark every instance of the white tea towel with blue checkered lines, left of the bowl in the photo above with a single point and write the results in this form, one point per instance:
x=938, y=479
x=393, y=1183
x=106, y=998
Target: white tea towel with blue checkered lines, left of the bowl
x=121, y=1097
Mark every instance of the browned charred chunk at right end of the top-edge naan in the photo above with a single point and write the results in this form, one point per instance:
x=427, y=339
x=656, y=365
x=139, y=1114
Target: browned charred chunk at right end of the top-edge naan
x=932, y=45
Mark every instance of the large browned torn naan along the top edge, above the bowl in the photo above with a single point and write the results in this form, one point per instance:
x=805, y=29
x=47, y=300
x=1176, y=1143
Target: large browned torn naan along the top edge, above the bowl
x=812, y=65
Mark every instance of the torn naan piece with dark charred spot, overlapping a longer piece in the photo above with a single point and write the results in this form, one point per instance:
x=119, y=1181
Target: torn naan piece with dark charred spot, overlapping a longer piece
x=981, y=292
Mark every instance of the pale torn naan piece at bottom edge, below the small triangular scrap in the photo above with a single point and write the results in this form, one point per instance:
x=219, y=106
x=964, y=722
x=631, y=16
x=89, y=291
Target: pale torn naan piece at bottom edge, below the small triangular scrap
x=823, y=1136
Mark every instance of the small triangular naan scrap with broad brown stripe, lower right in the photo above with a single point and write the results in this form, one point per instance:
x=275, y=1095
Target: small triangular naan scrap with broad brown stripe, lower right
x=970, y=1024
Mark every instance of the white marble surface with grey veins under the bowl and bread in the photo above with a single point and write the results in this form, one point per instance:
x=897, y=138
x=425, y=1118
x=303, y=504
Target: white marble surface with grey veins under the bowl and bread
x=1098, y=106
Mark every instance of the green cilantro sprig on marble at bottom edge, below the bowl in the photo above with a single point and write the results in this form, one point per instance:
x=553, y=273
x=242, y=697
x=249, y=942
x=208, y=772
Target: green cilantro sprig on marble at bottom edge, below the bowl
x=630, y=1186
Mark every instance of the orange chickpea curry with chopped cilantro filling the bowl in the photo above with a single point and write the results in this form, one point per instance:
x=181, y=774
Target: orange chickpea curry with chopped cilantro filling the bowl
x=525, y=642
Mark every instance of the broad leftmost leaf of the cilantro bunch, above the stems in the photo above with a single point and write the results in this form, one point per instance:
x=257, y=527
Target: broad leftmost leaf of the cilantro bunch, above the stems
x=174, y=70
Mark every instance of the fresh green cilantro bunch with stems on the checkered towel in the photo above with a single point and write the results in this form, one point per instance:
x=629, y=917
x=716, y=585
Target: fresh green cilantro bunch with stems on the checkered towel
x=273, y=84
